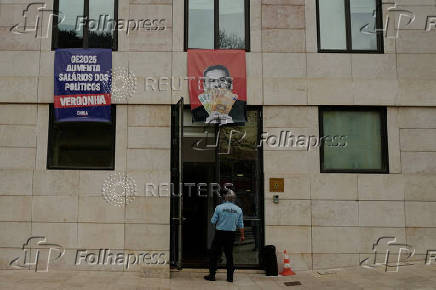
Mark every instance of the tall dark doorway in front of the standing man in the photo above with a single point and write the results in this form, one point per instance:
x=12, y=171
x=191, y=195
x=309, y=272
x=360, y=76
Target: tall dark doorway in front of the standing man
x=202, y=157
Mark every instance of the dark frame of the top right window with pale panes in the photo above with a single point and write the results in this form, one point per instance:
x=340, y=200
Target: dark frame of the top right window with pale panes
x=348, y=35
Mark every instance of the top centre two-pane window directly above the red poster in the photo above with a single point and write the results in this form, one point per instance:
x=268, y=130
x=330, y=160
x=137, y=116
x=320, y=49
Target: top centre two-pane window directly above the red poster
x=217, y=24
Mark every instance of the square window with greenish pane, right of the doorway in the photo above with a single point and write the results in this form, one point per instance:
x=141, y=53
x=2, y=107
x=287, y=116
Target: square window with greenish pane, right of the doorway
x=354, y=139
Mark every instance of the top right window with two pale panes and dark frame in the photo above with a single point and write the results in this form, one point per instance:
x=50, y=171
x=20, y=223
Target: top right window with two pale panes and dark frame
x=350, y=26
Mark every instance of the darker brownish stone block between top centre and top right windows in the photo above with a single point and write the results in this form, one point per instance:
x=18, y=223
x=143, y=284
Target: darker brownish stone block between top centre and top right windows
x=283, y=16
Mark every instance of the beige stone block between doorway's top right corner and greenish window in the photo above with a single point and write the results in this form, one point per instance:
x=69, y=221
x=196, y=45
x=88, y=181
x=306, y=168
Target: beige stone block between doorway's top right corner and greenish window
x=290, y=116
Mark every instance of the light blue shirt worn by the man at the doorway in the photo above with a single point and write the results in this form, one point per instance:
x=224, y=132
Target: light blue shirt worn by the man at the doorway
x=227, y=217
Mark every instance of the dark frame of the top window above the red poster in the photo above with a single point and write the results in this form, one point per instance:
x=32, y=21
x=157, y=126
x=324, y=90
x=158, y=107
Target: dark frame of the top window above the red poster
x=216, y=25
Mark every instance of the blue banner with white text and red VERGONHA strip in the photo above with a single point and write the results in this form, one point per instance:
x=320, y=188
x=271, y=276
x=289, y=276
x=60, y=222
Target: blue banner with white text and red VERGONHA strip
x=82, y=85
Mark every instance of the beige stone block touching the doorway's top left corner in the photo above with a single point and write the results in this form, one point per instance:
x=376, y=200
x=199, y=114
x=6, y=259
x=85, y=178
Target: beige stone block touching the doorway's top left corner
x=149, y=116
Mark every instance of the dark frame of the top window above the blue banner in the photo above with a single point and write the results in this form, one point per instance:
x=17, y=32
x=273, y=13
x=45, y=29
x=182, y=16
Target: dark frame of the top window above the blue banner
x=85, y=44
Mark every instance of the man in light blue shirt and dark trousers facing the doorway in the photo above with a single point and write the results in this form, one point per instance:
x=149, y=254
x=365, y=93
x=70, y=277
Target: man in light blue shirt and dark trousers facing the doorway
x=227, y=218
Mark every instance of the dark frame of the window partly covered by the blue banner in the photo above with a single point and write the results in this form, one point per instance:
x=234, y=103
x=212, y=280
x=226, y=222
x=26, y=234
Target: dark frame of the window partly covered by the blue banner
x=50, y=143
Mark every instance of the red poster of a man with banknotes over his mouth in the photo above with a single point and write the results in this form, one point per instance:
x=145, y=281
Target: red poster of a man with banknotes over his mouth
x=217, y=85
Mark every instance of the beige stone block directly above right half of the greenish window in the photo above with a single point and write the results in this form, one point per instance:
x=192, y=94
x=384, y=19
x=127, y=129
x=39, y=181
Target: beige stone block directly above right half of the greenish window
x=375, y=92
